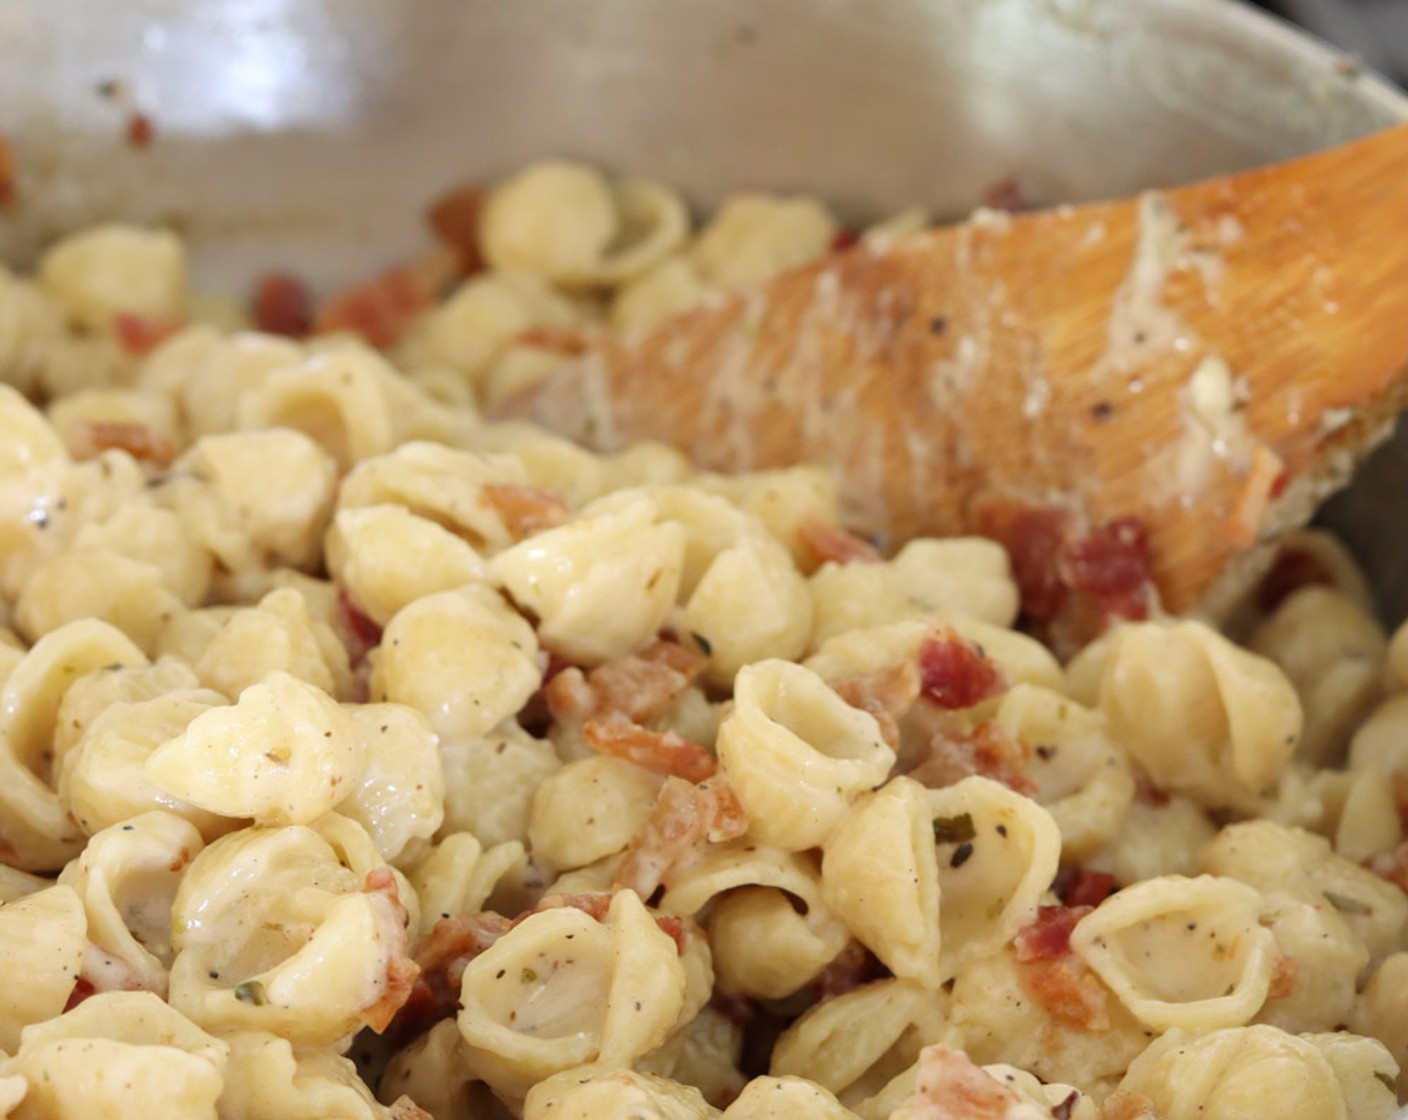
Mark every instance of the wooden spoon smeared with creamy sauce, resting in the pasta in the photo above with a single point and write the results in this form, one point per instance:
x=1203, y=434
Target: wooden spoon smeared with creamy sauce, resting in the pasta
x=1210, y=360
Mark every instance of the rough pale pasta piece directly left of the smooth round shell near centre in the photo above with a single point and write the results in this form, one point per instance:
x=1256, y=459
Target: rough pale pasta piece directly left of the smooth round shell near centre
x=491, y=781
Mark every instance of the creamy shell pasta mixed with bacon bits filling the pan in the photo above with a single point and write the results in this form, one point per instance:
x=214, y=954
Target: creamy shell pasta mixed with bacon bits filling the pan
x=365, y=759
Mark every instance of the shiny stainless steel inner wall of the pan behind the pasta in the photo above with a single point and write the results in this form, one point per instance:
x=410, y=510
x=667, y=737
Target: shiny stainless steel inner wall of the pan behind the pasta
x=313, y=132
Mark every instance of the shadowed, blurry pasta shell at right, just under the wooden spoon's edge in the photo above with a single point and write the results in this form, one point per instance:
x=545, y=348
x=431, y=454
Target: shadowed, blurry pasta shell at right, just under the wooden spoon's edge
x=1333, y=650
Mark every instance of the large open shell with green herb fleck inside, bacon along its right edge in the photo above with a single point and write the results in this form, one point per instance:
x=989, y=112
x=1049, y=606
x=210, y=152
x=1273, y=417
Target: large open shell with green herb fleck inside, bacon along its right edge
x=275, y=931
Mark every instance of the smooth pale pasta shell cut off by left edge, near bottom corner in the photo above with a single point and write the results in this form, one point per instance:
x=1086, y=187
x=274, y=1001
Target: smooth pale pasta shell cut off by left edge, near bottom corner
x=42, y=953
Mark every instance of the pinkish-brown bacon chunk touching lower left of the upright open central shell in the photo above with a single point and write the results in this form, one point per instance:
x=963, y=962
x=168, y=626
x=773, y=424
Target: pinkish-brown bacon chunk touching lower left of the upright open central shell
x=684, y=821
